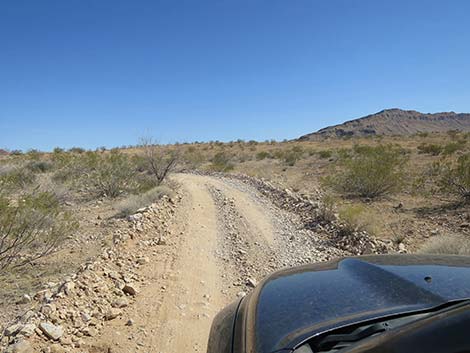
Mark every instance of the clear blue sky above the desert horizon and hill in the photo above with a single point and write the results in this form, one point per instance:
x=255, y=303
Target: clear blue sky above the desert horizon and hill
x=104, y=72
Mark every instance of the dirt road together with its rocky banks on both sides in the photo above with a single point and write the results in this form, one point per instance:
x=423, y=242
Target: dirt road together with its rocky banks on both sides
x=186, y=259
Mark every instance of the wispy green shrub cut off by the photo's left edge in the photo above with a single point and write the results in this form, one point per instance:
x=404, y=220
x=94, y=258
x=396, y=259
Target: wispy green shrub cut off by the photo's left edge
x=31, y=228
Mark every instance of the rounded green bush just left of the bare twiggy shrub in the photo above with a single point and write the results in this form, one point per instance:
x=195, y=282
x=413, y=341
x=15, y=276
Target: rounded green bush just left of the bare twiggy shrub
x=113, y=175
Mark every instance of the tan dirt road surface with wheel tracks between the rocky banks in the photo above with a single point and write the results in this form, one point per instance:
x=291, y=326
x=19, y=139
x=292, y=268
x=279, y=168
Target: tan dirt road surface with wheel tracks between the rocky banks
x=226, y=236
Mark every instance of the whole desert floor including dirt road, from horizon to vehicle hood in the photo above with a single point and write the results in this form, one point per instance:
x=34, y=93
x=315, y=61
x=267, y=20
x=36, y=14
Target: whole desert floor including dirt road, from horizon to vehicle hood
x=144, y=265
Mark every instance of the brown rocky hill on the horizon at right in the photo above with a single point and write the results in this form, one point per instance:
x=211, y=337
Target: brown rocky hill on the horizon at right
x=395, y=122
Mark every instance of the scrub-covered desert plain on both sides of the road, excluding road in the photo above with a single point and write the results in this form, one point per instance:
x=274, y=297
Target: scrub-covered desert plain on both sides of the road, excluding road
x=412, y=192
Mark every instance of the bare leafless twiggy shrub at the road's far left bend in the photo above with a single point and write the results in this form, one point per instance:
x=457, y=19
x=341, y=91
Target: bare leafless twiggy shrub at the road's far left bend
x=159, y=163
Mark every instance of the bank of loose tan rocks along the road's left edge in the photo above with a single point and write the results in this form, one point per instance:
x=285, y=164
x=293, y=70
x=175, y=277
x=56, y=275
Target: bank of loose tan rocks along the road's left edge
x=64, y=315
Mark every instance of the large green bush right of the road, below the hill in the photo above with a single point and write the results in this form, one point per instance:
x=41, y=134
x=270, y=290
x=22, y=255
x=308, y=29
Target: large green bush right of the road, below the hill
x=370, y=172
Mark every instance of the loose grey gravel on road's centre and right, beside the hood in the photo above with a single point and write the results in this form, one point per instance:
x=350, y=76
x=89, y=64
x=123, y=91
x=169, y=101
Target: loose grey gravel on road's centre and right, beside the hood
x=249, y=257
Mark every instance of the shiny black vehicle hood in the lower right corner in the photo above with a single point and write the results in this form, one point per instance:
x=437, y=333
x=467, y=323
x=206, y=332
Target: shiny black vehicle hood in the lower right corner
x=293, y=305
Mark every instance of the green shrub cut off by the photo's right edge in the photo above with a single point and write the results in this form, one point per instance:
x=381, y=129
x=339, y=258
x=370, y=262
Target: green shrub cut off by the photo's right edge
x=454, y=177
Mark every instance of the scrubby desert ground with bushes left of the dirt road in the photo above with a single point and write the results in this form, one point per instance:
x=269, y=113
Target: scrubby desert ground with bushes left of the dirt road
x=57, y=209
